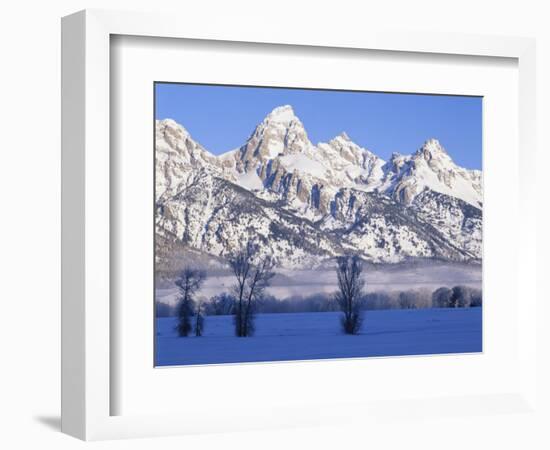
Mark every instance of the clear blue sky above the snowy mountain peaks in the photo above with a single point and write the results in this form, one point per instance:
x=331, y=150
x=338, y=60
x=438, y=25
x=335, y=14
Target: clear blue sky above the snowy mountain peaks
x=222, y=117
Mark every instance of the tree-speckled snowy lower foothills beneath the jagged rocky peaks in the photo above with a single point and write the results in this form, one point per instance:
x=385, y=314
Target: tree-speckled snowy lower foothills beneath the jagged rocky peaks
x=216, y=216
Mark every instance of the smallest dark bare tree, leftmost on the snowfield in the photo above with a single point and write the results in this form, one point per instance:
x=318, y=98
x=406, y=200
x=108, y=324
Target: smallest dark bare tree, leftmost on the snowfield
x=189, y=282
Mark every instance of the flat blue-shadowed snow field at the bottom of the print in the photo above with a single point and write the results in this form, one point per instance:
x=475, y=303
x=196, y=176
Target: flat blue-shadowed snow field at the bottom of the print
x=307, y=336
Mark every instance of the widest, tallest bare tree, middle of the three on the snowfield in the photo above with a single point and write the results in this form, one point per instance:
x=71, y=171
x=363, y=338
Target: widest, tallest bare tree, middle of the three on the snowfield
x=253, y=274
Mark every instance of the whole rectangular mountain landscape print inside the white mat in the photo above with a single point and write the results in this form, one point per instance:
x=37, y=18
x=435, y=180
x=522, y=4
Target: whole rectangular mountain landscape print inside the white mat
x=300, y=224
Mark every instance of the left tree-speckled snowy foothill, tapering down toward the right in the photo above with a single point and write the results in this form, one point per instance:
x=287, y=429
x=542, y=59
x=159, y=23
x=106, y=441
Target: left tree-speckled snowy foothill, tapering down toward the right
x=216, y=216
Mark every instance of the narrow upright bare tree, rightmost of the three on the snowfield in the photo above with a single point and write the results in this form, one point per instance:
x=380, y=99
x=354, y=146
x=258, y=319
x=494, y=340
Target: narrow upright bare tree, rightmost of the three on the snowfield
x=349, y=270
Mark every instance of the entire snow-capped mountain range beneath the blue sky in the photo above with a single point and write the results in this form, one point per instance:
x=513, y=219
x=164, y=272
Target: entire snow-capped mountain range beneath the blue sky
x=307, y=203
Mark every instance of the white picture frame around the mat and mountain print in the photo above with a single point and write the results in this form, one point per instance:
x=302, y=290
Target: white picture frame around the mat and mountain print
x=87, y=354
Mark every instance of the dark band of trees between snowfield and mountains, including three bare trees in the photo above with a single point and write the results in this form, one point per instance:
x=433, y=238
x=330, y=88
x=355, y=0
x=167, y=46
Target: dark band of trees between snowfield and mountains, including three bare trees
x=252, y=274
